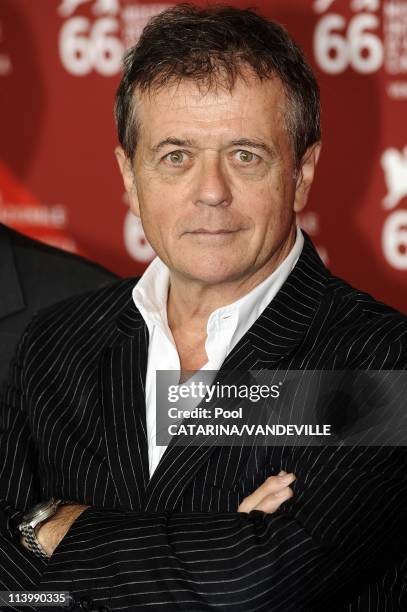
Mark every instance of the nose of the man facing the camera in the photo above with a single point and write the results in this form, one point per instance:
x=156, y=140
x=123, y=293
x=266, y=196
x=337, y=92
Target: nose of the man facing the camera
x=212, y=187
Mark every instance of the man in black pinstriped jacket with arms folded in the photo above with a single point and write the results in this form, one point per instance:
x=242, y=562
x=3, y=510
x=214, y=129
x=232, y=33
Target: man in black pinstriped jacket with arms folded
x=218, y=120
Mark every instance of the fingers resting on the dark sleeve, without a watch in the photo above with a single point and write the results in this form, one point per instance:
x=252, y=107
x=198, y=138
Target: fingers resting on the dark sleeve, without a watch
x=270, y=495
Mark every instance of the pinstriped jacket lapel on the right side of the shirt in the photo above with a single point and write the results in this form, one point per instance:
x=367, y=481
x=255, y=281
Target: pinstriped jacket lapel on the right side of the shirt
x=275, y=335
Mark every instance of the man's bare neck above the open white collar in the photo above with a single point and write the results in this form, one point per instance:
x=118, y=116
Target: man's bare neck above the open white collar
x=190, y=303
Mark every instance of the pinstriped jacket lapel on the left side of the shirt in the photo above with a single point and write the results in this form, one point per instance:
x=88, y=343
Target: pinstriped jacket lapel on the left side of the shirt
x=122, y=372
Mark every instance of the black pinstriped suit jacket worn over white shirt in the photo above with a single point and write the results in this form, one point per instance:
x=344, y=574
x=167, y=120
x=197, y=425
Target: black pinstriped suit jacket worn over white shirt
x=73, y=426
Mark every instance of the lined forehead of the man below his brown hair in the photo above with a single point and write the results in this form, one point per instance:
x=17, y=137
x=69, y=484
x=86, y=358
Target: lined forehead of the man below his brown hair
x=252, y=108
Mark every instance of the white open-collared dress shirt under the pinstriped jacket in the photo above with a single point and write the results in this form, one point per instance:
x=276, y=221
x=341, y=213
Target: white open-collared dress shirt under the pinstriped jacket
x=225, y=327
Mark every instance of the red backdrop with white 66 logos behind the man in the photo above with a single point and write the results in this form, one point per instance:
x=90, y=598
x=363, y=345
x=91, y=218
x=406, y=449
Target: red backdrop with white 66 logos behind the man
x=59, y=69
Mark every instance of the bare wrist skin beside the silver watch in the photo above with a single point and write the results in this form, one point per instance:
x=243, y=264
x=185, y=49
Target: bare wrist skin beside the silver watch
x=50, y=533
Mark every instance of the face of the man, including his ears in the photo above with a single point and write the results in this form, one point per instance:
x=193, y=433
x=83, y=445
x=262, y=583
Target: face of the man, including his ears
x=213, y=179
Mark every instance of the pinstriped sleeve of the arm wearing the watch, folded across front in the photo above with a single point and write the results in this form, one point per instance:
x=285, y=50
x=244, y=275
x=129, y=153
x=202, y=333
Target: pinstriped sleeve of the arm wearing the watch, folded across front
x=346, y=520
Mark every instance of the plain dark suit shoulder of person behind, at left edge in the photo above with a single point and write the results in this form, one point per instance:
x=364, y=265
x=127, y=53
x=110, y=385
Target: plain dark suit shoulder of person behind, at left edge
x=34, y=275
